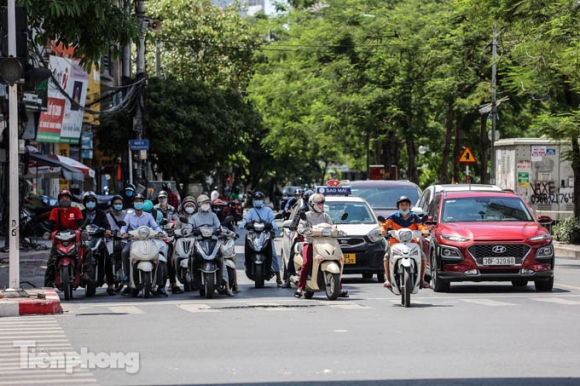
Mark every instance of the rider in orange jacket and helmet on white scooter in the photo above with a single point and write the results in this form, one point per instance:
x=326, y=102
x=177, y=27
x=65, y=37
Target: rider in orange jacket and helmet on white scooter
x=404, y=218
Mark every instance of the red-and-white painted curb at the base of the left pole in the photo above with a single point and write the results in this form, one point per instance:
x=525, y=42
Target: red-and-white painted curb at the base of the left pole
x=27, y=306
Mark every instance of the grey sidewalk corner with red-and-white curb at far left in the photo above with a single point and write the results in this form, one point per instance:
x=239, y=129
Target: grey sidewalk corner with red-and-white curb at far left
x=40, y=301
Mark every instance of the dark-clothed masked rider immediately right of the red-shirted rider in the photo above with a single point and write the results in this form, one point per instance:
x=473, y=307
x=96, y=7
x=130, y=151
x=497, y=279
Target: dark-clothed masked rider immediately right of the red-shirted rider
x=98, y=217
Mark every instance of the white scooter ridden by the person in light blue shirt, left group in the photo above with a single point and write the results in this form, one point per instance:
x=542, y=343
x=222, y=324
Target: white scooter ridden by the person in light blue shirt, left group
x=144, y=255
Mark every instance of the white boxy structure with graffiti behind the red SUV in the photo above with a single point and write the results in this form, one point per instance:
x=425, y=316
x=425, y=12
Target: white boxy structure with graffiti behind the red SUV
x=535, y=169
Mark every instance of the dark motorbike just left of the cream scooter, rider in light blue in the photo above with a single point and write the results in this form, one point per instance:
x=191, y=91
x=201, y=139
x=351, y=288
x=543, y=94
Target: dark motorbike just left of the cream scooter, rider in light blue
x=258, y=252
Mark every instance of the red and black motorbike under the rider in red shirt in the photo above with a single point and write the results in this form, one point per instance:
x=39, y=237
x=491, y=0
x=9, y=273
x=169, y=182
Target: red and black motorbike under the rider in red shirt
x=69, y=249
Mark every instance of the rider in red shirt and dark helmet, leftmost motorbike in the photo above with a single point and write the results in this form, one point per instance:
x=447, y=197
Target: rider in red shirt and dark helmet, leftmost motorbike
x=61, y=218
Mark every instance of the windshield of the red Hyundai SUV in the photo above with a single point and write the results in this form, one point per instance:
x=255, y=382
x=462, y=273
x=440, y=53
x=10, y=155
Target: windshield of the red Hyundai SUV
x=472, y=209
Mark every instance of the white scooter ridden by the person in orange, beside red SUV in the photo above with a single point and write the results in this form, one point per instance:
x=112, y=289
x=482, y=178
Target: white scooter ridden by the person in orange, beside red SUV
x=405, y=264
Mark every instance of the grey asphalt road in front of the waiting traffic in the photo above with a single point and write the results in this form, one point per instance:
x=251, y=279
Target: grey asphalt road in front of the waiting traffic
x=478, y=334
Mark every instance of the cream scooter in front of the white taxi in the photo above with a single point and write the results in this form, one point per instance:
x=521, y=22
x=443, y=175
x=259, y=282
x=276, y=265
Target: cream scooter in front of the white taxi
x=327, y=264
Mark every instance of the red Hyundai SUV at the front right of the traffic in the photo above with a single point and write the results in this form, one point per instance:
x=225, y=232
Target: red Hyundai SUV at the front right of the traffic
x=487, y=236
